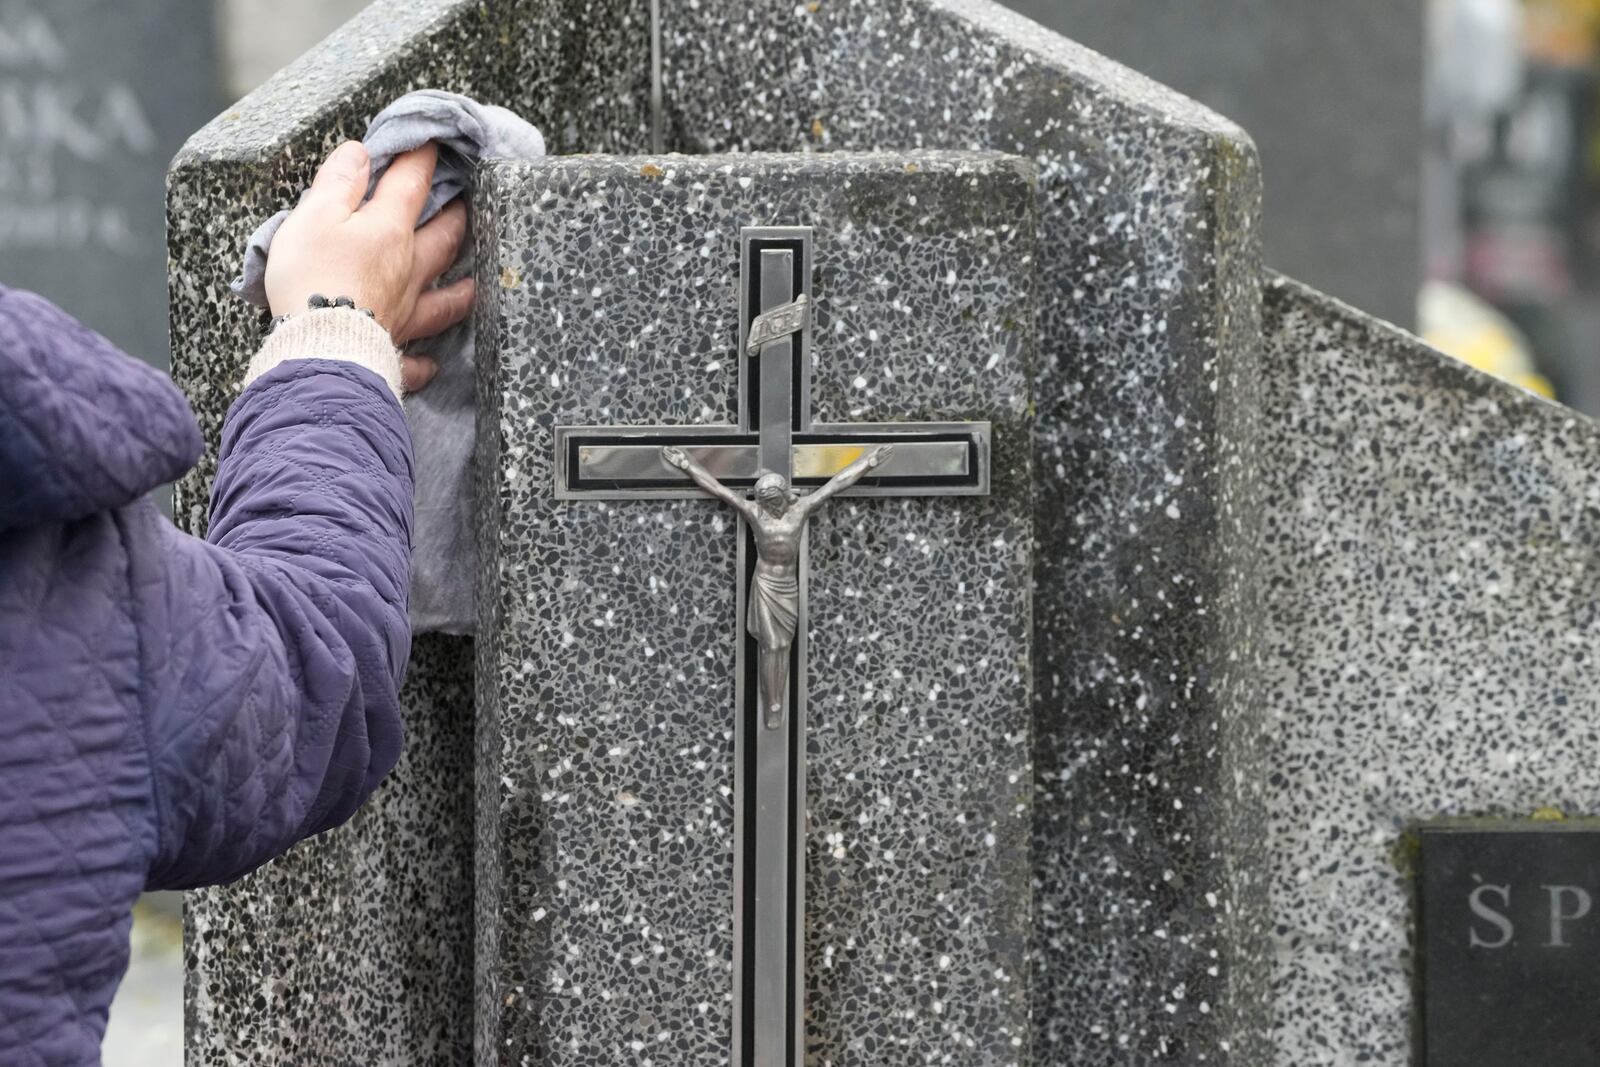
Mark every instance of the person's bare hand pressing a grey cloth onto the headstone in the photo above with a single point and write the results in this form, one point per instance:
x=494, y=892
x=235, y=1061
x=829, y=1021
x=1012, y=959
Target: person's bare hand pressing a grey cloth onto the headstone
x=335, y=246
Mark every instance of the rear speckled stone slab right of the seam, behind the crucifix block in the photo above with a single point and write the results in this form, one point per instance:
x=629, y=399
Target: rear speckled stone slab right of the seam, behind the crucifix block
x=1151, y=290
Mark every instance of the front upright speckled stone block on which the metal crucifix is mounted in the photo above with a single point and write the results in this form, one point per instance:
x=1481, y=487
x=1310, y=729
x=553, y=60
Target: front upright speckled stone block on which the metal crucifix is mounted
x=606, y=773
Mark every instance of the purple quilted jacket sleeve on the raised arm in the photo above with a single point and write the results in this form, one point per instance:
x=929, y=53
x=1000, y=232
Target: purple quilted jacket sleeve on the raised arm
x=274, y=708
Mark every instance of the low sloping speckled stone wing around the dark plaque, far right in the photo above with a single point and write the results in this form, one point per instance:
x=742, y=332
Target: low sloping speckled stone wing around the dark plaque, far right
x=1426, y=561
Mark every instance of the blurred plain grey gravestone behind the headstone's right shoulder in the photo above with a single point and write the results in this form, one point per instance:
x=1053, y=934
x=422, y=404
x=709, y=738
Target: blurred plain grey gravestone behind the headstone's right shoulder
x=1332, y=94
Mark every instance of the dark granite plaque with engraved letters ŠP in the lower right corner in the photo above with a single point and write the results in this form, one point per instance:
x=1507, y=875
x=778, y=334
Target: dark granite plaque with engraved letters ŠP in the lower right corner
x=1510, y=945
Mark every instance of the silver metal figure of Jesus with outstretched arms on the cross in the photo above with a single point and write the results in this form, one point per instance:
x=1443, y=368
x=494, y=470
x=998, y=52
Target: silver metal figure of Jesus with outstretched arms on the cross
x=777, y=518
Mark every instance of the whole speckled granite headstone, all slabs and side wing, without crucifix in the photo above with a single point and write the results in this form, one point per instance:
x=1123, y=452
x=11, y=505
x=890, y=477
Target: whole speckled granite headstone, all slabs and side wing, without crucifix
x=1290, y=589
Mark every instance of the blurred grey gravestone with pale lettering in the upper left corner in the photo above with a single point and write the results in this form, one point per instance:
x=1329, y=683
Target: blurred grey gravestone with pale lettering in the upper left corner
x=95, y=98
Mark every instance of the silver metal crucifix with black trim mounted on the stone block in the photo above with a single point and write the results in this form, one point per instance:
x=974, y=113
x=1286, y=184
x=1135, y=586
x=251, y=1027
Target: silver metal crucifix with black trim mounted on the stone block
x=775, y=454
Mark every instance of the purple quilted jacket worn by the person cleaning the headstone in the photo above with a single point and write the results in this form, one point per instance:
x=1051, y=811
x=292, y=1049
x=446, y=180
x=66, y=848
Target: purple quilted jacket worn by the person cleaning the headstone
x=175, y=713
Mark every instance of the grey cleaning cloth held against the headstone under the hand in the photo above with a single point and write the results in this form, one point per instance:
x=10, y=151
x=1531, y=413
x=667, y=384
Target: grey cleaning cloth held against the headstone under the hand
x=442, y=417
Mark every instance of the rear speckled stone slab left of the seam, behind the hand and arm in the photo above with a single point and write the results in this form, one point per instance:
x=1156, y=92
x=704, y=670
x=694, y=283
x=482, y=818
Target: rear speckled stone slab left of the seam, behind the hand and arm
x=358, y=946
